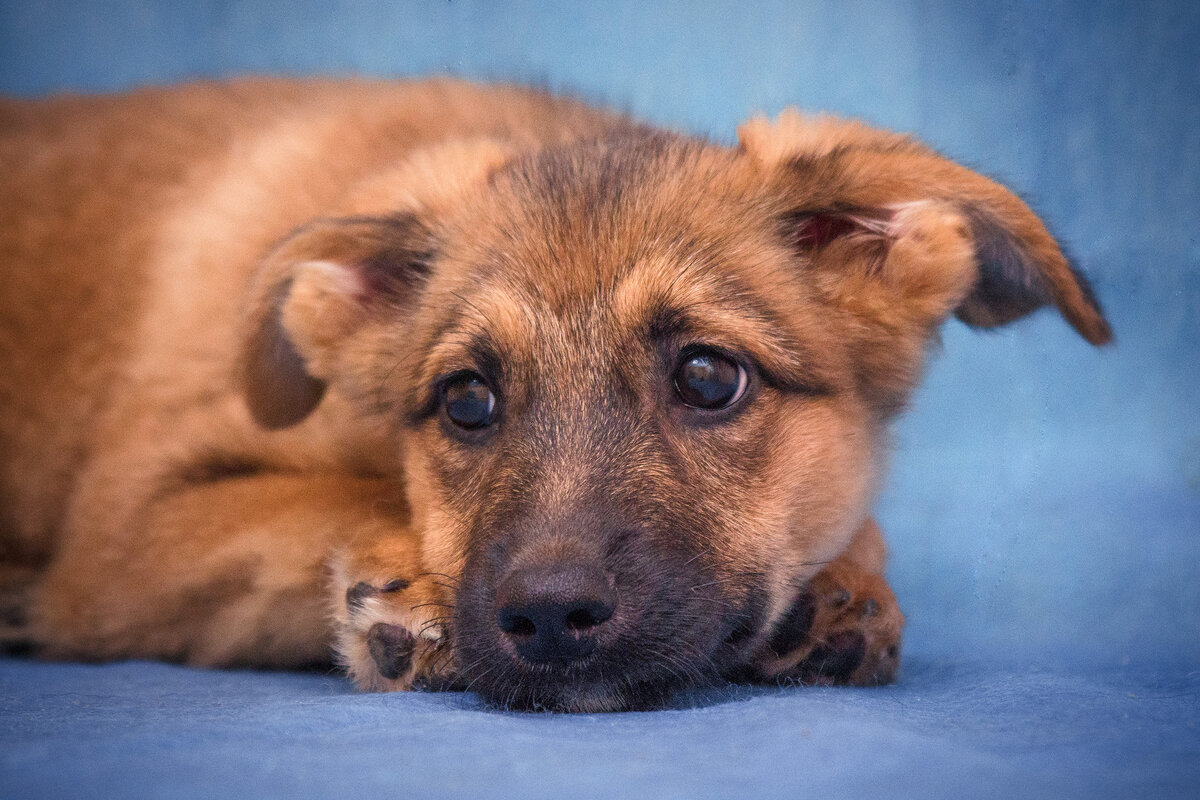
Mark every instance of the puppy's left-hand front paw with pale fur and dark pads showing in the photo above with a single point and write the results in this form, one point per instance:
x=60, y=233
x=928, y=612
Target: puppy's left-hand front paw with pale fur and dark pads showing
x=393, y=635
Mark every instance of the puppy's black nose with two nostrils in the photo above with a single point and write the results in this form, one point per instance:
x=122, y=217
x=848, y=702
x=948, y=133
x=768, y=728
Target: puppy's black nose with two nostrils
x=553, y=613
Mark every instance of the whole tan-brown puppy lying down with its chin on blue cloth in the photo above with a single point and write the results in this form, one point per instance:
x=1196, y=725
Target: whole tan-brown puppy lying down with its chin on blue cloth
x=472, y=387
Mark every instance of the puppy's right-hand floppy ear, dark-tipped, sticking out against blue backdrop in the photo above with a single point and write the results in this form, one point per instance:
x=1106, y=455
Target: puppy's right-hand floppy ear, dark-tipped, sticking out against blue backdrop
x=905, y=237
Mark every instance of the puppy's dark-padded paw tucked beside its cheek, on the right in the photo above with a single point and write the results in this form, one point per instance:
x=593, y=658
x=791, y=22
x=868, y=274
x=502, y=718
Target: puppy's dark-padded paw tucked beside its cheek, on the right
x=844, y=627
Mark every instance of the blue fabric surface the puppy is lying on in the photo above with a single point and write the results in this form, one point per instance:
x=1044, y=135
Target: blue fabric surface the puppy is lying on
x=949, y=730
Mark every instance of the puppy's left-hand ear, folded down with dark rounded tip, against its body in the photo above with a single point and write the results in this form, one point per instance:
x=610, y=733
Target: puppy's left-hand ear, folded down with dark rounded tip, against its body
x=313, y=293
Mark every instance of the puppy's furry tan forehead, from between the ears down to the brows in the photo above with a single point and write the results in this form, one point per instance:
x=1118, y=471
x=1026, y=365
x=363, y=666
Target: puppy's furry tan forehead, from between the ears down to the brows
x=593, y=250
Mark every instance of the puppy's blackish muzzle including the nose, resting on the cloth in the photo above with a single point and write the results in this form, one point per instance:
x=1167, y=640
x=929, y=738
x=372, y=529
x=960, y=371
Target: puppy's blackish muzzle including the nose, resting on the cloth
x=607, y=623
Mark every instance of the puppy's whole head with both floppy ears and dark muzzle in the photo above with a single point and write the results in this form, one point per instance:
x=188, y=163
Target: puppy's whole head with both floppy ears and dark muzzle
x=641, y=384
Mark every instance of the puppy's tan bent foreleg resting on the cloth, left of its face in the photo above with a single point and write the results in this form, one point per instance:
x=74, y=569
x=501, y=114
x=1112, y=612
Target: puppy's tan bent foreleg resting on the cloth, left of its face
x=247, y=570
